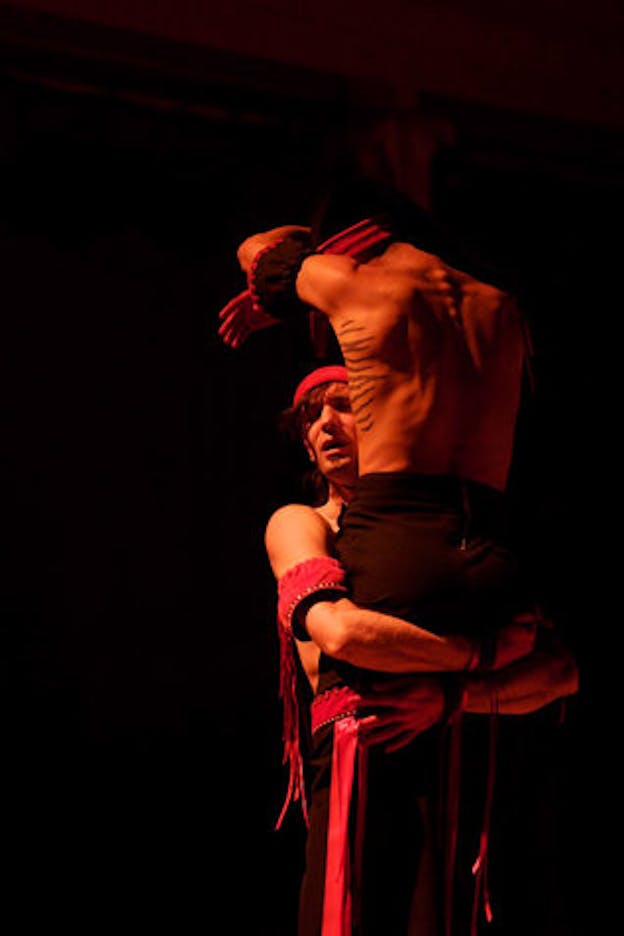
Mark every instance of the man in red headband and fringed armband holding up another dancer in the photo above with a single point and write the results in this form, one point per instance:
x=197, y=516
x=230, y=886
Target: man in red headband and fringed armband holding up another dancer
x=298, y=539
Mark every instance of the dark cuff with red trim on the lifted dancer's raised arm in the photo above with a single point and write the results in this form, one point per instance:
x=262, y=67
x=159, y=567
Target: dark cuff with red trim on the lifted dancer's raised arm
x=273, y=276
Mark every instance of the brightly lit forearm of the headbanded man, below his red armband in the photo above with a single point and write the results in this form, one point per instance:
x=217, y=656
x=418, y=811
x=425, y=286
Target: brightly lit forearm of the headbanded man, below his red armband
x=381, y=642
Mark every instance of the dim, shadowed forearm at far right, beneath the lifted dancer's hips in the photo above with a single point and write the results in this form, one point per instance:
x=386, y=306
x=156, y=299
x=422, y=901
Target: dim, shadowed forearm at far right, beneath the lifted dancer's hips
x=524, y=686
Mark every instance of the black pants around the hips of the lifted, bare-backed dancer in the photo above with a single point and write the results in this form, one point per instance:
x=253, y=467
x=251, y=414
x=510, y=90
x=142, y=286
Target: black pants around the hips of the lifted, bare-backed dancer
x=431, y=550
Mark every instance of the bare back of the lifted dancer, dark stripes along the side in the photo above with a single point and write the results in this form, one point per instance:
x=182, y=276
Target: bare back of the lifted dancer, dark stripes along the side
x=434, y=358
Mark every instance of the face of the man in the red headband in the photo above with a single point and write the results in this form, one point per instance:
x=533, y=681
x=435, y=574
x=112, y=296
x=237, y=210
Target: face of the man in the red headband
x=330, y=438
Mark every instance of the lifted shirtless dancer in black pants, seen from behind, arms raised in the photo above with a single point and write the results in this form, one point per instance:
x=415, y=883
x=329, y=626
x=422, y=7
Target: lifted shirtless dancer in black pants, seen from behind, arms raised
x=435, y=361
